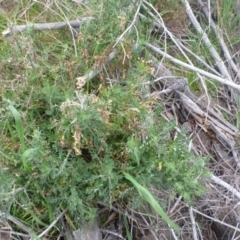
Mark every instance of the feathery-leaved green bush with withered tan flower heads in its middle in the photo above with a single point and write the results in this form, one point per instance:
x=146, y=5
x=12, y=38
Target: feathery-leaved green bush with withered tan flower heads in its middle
x=93, y=141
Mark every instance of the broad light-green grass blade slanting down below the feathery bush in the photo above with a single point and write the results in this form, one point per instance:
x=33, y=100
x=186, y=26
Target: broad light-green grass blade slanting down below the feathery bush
x=145, y=194
